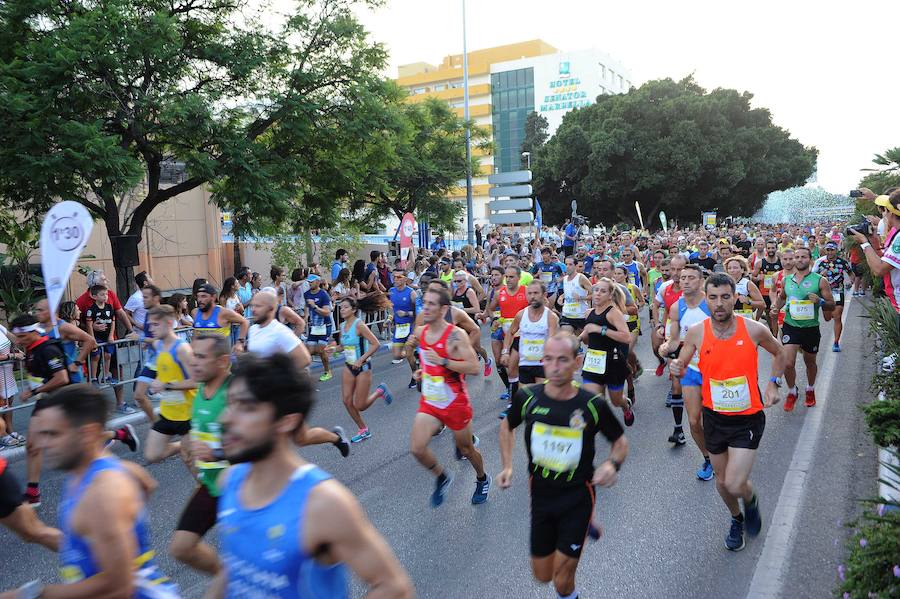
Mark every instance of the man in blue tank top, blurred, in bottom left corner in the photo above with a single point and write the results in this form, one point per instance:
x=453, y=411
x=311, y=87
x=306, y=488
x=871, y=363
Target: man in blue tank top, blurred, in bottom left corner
x=106, y=545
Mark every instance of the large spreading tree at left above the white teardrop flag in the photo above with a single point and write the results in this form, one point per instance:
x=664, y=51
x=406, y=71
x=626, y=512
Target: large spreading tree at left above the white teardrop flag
x=98, y=97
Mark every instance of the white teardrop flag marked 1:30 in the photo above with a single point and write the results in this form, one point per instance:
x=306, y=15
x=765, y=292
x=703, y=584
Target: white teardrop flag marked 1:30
x=64, y=234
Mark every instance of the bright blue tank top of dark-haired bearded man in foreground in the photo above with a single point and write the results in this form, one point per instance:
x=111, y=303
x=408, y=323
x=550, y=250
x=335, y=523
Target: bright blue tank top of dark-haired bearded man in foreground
x=261, y=548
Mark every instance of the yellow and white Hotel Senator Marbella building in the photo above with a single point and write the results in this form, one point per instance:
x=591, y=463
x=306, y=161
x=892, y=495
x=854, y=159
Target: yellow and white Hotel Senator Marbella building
x=506, y=83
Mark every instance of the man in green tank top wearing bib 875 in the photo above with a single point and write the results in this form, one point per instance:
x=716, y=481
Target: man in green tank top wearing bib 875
x=803, y=294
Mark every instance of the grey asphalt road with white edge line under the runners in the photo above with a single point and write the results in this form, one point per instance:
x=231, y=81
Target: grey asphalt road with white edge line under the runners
x=663, y=528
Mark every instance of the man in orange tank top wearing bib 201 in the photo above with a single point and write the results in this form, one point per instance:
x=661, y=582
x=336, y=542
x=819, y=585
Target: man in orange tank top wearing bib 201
x=733, y=417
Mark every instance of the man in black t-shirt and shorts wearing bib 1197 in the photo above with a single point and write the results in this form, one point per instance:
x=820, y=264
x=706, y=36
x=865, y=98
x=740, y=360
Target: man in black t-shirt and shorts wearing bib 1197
x=561, y=422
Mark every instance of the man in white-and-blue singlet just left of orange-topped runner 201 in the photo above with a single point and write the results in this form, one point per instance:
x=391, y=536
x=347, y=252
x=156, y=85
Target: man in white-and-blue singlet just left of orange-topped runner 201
x=690, y=309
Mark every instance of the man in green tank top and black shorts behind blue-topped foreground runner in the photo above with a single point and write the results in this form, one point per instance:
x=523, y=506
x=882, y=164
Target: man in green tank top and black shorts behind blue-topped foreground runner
x=211, y=366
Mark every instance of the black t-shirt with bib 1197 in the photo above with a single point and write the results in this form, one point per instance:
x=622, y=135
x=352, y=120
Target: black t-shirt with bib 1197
x=559, y=435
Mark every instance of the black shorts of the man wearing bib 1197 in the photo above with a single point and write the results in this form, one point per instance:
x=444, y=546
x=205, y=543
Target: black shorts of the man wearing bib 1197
x=560, y=518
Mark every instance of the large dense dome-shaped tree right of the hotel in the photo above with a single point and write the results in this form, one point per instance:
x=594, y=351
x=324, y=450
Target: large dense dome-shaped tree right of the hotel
x=672, y=146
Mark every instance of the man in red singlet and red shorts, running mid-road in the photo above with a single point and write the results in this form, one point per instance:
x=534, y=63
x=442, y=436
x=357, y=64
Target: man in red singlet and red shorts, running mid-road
x=446, y=357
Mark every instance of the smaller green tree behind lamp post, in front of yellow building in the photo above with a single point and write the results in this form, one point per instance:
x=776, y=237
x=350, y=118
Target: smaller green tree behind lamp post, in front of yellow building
x=428, y=144
